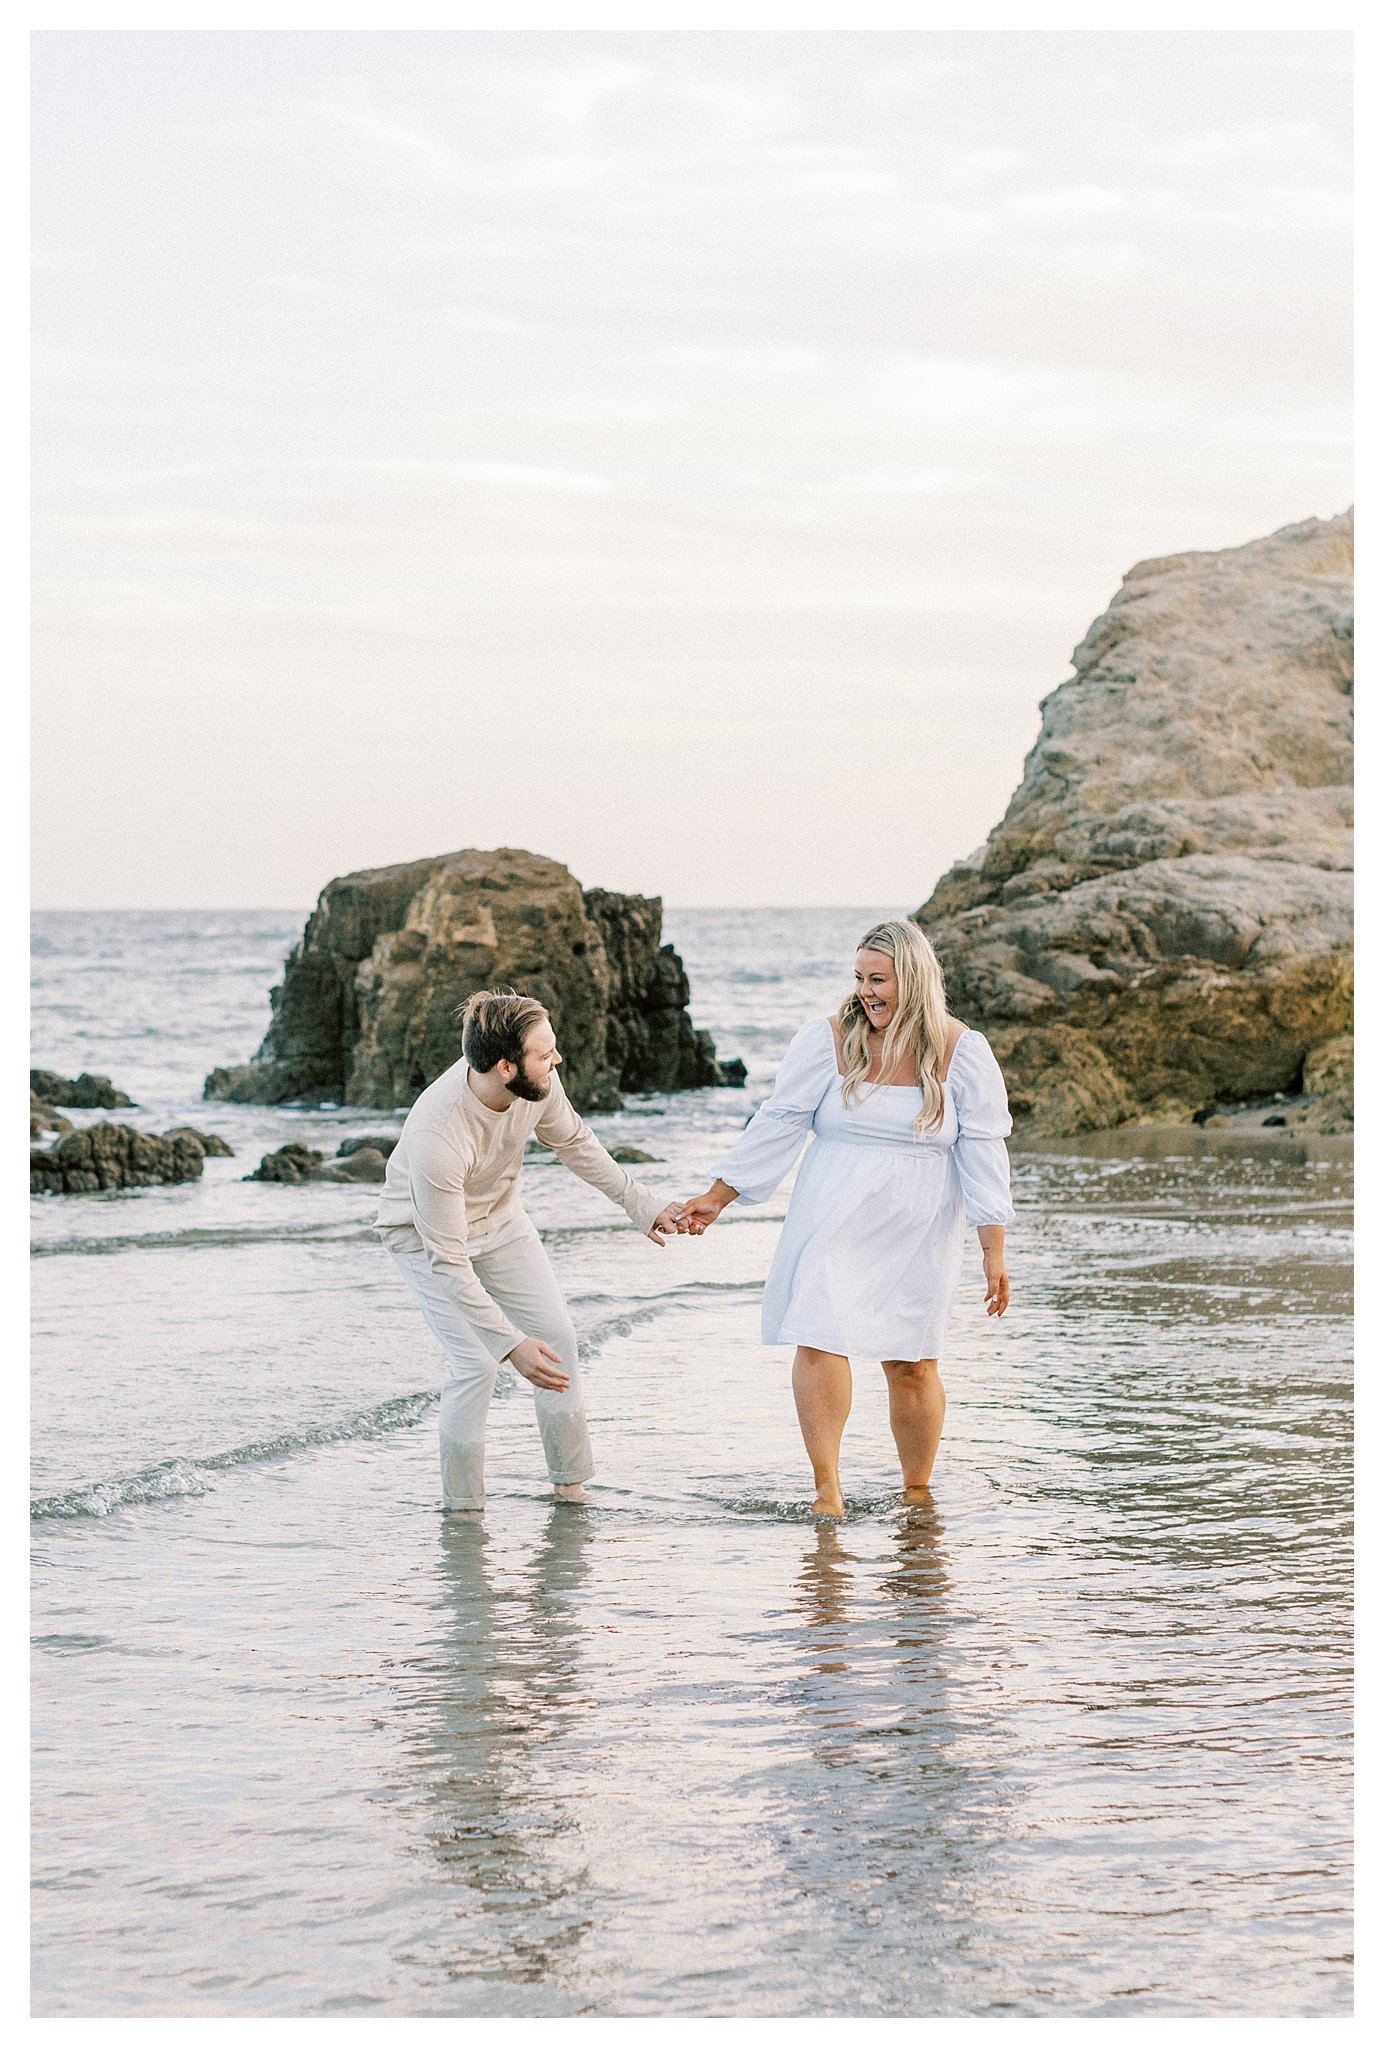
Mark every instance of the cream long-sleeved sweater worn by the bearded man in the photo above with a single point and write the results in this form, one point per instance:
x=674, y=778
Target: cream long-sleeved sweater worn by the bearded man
x=456, y=1177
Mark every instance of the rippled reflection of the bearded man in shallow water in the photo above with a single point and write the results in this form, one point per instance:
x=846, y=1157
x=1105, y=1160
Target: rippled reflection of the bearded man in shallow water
x=501, y=1689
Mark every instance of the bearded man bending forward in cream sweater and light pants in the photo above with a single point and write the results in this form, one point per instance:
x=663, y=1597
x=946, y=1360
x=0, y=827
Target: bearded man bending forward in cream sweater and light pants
x=468, y=1250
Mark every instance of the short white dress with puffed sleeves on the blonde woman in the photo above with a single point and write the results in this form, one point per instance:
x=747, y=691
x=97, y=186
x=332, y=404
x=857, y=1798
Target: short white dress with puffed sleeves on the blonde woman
x=873, y=1242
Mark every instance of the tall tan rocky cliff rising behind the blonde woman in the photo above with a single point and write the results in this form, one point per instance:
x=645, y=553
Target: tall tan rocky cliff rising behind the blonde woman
x=1164, y=916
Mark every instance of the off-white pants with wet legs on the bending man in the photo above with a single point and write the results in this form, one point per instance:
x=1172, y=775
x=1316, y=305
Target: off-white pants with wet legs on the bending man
x=515, y=1271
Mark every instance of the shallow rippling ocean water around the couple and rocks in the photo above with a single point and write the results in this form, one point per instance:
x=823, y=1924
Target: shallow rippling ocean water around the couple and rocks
x=1072, y=1742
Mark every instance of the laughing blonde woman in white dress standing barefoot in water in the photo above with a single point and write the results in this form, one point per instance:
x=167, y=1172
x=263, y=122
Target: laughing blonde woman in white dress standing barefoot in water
x=910, y=1117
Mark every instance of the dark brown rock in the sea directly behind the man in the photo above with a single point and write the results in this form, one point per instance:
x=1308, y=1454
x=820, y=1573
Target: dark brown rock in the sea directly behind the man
x=367, y=1011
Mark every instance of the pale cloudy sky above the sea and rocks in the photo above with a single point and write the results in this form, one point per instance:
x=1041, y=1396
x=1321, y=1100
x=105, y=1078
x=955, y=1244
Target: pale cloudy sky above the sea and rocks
x=689, y=456
